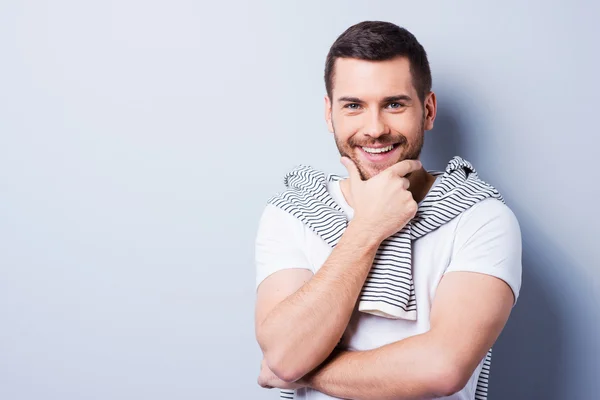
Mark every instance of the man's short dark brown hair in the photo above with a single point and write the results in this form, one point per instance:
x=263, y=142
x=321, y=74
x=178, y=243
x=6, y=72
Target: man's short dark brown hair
x=380, y=41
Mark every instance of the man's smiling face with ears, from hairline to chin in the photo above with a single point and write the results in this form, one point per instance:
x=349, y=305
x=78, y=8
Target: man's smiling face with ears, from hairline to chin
x=375, y=113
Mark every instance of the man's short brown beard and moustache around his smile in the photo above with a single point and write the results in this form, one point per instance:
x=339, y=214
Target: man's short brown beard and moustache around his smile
x=408, y=150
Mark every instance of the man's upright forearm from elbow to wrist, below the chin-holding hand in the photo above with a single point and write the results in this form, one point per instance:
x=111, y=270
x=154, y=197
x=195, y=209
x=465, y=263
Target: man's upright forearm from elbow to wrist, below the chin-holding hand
x=301, y=331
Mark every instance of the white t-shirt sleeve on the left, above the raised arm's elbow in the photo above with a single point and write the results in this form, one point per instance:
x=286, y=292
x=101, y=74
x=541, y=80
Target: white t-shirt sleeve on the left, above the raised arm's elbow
x=280, y=243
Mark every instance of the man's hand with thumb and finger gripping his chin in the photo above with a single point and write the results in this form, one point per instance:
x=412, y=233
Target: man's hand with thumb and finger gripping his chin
x=382, y=205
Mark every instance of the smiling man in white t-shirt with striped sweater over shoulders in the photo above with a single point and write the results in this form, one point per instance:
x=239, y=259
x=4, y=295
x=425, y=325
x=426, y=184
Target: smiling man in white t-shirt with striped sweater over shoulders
x=328, y=325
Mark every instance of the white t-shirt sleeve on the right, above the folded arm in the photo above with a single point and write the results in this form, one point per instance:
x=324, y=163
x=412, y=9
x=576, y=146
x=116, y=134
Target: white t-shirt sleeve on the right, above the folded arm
x=488, y=241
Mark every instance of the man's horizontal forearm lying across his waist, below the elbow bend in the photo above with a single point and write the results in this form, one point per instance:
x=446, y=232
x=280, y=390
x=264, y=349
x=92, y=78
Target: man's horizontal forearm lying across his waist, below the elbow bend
x=408, y=369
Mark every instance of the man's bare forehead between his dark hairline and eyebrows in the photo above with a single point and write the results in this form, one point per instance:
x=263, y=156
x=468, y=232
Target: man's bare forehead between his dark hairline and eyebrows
x=372, y=79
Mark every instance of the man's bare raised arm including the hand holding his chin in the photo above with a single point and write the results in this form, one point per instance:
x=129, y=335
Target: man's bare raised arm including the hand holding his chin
x=297, y=333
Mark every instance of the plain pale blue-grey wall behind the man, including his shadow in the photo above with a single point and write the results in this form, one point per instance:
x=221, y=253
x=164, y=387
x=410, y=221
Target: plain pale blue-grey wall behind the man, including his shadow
x=139, y=141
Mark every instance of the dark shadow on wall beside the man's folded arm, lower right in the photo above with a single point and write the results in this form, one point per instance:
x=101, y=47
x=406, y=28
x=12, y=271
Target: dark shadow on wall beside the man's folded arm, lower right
x=530, y=354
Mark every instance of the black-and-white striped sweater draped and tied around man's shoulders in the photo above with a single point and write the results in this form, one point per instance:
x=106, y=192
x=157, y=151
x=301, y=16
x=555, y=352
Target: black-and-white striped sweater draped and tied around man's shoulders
x=389, y=289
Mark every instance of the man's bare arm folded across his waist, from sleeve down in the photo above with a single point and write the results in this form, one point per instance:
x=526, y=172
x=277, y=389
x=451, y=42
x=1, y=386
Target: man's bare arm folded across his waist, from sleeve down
x=468, y=314
